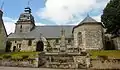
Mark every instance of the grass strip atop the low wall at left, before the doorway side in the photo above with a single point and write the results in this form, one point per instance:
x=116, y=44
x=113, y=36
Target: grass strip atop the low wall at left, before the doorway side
x=19, y=55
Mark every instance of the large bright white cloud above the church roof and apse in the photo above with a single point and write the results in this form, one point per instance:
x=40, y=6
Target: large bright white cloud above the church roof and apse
x=64, y=11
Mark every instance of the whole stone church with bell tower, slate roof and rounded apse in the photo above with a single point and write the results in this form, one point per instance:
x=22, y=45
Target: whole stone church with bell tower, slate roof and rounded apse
x=87, y=35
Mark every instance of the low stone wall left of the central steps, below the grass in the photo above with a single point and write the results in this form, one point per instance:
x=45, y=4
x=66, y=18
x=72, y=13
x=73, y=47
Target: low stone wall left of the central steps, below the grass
x=19, y=62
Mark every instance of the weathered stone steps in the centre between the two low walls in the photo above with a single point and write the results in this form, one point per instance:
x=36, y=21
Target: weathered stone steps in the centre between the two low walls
x=65, y=61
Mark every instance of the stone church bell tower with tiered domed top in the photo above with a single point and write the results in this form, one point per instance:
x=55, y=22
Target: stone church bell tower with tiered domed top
x=25, y=22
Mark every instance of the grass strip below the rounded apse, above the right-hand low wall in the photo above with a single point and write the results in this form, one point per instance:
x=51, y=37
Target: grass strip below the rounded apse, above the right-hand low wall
x=110, y=53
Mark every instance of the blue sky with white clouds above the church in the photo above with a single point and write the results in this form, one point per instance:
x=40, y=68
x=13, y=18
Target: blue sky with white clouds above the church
x=52, y=12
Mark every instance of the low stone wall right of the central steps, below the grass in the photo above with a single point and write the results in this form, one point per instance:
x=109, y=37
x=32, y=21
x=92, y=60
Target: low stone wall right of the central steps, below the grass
x=105, y=64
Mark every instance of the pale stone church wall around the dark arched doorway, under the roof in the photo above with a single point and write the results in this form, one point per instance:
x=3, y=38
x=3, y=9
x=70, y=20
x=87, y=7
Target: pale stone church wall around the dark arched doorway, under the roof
x=24, y=44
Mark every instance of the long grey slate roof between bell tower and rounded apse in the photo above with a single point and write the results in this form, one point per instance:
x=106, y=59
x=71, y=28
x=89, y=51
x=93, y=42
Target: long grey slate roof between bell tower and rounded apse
x=46, y=31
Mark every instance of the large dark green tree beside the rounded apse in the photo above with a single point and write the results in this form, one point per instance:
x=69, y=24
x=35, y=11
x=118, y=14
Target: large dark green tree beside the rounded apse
x=111, y=17
